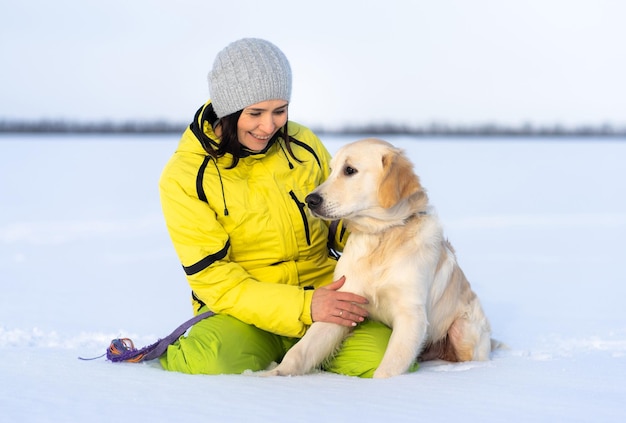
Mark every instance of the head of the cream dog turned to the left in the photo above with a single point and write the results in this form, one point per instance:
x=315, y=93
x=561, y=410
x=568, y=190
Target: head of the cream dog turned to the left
x=369, y=178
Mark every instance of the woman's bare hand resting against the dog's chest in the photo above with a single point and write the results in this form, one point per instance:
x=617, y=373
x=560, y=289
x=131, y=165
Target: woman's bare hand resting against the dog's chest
x=332, y=306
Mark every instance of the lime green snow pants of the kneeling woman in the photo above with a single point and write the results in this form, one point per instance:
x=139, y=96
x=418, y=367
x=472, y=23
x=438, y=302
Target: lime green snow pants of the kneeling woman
x=224, y=345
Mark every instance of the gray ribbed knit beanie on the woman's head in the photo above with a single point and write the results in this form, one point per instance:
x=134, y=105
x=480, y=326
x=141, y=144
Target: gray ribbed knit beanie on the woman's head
x=247, y=72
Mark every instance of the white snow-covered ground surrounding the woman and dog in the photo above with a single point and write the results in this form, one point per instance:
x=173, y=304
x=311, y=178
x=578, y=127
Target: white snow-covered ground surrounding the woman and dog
x=538, y=225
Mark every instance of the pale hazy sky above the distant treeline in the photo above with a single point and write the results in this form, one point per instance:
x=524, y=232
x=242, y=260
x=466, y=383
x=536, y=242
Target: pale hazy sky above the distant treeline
x=354, y=62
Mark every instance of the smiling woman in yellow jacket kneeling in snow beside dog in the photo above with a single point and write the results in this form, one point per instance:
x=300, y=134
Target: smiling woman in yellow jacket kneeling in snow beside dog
x=233, y=200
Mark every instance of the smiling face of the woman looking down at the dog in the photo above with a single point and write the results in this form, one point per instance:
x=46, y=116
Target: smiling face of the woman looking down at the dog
x=258, y=123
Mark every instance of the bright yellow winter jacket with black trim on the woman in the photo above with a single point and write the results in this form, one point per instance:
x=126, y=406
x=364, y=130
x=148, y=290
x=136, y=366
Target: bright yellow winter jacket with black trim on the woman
x=249, y=246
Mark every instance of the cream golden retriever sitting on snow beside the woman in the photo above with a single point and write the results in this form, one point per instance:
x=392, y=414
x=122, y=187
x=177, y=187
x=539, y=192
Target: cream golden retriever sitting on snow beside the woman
x=396, y=256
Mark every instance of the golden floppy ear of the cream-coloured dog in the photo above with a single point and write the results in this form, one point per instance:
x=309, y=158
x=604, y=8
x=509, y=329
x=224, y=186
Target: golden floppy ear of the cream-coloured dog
x=398, y=180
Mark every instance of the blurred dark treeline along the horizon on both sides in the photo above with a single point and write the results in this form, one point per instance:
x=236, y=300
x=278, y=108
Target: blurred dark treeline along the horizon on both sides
x=435, y=129
